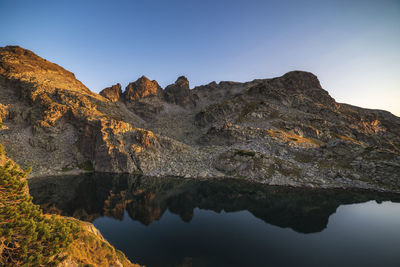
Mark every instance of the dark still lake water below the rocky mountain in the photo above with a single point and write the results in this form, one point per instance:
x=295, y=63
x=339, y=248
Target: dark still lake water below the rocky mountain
x=178, y=222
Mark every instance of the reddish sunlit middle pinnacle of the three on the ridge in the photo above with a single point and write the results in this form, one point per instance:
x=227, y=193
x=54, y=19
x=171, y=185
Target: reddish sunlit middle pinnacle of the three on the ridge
x=141, y=88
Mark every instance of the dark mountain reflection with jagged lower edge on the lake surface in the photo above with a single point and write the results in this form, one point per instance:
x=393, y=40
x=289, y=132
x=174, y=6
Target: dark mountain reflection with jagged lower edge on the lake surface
x=146, y=199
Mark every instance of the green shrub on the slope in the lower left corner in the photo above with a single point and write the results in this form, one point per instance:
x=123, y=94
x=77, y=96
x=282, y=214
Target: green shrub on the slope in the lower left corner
x=28, y=237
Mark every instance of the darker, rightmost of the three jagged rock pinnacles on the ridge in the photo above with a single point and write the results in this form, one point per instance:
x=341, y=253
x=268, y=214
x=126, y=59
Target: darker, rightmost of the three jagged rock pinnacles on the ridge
x=179, y=93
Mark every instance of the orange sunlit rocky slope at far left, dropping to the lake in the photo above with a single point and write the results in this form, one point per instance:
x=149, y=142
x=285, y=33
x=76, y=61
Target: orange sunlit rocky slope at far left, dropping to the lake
x=56, y=121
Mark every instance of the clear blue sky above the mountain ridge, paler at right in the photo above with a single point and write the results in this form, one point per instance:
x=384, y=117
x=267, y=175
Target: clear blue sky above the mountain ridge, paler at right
x=352, y=46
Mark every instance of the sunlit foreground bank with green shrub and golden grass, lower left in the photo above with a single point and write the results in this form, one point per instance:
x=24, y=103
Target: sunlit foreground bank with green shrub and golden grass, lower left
x=30, y=238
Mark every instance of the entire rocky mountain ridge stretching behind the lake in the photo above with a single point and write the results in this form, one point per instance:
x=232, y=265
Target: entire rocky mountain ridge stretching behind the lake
x=281, y=131
